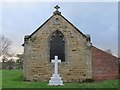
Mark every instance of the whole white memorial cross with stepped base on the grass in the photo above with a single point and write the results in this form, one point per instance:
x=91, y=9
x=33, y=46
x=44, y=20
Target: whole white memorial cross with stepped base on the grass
x=56, y=79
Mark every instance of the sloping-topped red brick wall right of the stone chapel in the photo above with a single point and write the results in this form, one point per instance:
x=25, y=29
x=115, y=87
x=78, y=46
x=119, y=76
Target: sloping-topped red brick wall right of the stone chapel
x=104, y=65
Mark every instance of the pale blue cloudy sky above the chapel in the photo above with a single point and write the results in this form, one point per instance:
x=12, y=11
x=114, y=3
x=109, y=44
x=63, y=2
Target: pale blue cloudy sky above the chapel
x=99, y=19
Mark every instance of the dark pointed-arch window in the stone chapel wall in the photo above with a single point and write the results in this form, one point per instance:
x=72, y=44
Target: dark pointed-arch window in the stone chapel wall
x=57, y=46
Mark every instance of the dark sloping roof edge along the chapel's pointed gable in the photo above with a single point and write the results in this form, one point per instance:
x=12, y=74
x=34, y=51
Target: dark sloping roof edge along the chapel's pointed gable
x=49, y=19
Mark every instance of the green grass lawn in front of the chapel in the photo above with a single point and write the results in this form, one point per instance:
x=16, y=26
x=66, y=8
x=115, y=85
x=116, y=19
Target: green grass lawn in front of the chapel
x=13, y=79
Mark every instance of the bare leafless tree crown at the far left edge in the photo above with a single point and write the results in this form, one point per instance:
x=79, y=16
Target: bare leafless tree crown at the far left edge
x=4, y=45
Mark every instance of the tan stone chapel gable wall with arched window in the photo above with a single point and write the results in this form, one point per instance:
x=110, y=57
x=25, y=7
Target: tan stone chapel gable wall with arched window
x=57, y=36
